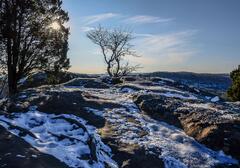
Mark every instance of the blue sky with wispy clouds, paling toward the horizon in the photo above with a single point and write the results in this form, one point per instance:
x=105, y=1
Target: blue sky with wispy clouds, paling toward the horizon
x=170, y=35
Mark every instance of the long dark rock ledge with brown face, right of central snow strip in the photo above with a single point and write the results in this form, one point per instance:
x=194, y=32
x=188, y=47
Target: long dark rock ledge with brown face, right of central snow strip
x=215, y=126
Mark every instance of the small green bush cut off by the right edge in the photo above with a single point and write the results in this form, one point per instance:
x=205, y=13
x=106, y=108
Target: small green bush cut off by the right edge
x=234, y=90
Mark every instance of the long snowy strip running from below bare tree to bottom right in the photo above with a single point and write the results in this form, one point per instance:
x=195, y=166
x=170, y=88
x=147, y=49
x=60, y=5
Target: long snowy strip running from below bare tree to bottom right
x=177, y=149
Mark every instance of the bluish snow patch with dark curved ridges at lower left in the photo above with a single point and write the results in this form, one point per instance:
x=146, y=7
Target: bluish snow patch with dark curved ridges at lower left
x=66, y=137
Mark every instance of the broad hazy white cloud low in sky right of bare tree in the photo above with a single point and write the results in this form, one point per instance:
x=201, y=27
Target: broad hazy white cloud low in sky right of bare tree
x=166, y=49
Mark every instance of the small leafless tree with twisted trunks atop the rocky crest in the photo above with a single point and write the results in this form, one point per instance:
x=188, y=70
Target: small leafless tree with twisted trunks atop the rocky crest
x=115, y=46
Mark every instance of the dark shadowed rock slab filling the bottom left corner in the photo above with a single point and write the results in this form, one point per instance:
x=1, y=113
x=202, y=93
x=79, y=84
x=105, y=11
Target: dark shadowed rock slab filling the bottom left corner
x=16, y=153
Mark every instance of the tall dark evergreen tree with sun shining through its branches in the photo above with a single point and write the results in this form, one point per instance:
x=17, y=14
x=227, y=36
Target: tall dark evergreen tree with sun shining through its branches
x=32, y=37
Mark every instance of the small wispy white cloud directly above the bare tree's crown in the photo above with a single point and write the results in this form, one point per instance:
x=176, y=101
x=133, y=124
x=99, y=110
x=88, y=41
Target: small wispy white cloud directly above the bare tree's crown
x=98, y=18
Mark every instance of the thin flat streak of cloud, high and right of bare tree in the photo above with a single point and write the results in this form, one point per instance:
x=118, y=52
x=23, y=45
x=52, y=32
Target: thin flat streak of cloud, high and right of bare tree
x=144, y=19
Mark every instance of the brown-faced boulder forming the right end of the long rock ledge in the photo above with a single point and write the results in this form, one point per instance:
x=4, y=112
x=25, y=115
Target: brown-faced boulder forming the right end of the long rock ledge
x=214, y=129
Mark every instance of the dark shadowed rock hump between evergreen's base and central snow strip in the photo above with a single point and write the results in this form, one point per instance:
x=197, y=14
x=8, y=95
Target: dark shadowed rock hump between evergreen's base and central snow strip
x=58, y=101
